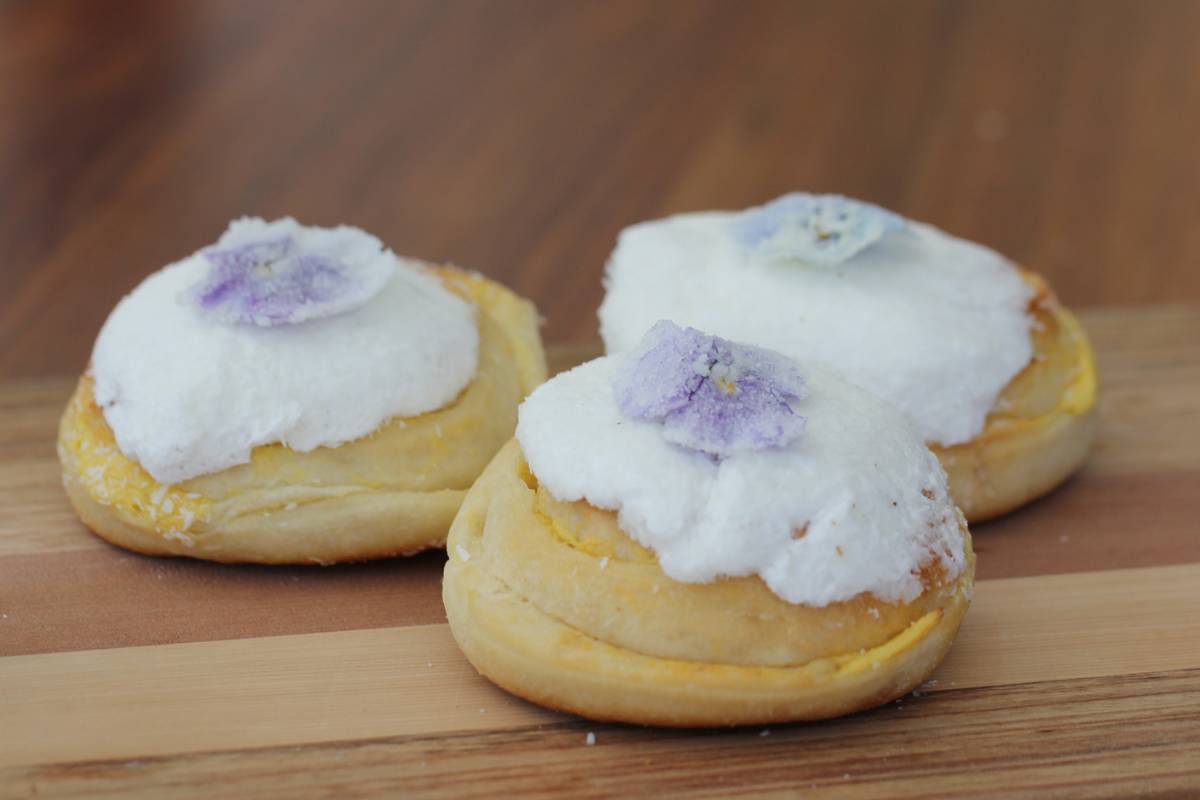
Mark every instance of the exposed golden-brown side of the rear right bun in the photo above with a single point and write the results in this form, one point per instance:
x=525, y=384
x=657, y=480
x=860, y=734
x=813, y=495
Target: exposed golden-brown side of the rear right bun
x=1041, y=428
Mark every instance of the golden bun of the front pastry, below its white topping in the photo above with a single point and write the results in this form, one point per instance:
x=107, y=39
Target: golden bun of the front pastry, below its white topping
x=554, y=603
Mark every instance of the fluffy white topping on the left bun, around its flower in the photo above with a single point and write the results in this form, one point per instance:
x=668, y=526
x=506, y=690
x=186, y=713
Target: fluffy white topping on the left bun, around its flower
x=197, y=398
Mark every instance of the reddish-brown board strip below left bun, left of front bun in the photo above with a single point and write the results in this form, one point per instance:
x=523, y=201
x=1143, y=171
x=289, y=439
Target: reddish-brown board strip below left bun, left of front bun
x=112, y=599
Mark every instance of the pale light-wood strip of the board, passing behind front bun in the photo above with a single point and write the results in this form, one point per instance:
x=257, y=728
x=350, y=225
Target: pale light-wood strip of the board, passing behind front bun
x=295, y=690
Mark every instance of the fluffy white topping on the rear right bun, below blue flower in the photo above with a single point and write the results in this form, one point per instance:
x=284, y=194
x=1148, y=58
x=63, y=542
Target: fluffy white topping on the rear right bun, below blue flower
x=934, y=324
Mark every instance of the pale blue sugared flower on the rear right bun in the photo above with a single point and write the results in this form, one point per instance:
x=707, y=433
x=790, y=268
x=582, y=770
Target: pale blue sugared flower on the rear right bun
x=820, y=230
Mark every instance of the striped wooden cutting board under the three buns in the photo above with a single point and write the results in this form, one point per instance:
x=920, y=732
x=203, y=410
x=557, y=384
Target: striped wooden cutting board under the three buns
x=1077, y=672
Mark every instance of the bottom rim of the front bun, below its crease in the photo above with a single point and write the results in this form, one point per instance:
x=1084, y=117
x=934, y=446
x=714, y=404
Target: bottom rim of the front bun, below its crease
x=542, y=659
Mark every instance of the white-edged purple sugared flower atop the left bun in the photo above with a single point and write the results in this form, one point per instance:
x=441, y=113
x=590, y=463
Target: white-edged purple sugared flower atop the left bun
x=280, y=274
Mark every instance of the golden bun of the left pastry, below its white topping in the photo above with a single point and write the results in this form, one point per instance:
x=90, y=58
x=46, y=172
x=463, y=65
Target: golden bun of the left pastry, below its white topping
x=394, y=492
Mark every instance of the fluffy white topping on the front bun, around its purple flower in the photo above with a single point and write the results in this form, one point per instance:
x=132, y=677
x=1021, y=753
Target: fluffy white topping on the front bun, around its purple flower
x=705, y=520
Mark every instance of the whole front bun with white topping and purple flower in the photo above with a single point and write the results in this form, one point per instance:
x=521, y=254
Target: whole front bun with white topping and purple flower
x=698, y=533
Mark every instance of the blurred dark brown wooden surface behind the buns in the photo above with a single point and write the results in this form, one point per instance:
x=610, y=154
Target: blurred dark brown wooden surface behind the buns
x=520, y=137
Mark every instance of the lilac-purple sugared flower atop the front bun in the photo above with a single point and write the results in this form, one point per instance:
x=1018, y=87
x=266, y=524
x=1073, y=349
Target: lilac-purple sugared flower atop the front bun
x=709, y=394
